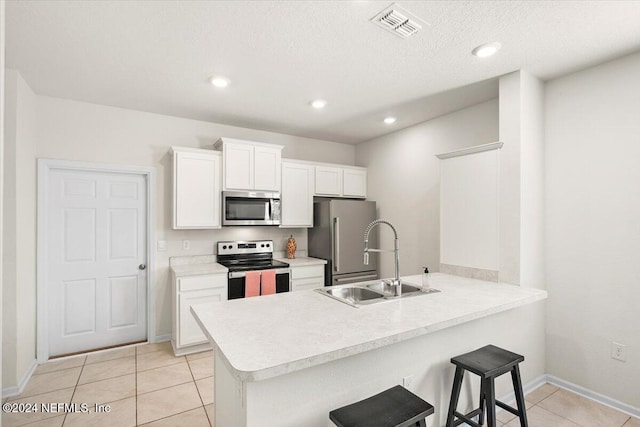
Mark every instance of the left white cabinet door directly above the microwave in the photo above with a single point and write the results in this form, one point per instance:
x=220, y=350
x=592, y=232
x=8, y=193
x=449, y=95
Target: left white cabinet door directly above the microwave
x=238, y=166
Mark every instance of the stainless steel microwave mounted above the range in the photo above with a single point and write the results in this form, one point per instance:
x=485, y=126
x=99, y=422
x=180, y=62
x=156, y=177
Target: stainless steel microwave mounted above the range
x=250, y=208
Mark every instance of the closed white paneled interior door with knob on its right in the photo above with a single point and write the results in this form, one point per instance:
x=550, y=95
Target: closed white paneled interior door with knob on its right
x=96, y=260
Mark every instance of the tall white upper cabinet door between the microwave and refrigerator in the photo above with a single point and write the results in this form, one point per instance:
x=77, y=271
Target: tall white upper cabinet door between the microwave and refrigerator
x=297, y=195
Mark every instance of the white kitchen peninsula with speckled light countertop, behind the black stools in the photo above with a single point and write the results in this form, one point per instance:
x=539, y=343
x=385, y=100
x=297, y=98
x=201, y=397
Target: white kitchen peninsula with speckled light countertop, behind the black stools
x=288, y=359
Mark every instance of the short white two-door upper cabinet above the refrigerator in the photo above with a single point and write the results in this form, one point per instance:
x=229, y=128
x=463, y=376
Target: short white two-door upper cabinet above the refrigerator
x=335, y=181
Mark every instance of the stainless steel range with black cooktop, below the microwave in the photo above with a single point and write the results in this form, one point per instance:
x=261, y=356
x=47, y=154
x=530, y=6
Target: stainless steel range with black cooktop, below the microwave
x=243, y=256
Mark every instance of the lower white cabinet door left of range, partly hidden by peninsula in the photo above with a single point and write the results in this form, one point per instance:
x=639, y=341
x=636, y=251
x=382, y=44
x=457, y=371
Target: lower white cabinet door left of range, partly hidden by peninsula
x=189, y=332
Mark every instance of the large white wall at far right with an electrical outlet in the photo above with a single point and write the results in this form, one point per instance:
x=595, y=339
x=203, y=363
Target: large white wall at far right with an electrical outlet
x=593, y=227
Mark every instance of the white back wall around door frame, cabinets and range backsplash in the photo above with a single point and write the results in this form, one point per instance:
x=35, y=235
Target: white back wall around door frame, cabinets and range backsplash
x=87, y=132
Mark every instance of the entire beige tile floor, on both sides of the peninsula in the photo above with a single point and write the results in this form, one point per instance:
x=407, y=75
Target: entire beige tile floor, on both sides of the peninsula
x=147, y=385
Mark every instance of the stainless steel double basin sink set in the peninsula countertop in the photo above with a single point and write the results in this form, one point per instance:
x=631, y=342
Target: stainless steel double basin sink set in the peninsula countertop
x=372, y=292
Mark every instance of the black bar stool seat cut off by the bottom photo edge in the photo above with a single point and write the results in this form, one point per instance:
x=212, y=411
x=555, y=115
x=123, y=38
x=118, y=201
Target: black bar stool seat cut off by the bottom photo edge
x=395, y=407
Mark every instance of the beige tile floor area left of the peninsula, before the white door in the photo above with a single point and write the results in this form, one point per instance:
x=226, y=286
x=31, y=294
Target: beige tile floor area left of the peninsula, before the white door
x=144, y=385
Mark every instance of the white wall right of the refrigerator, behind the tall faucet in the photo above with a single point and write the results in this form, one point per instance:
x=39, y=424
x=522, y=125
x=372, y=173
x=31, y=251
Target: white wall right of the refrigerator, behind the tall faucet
x=404, y=180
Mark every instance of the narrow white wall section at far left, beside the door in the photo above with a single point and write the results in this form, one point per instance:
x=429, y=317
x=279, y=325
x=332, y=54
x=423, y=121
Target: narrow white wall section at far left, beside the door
x=19, y=278
